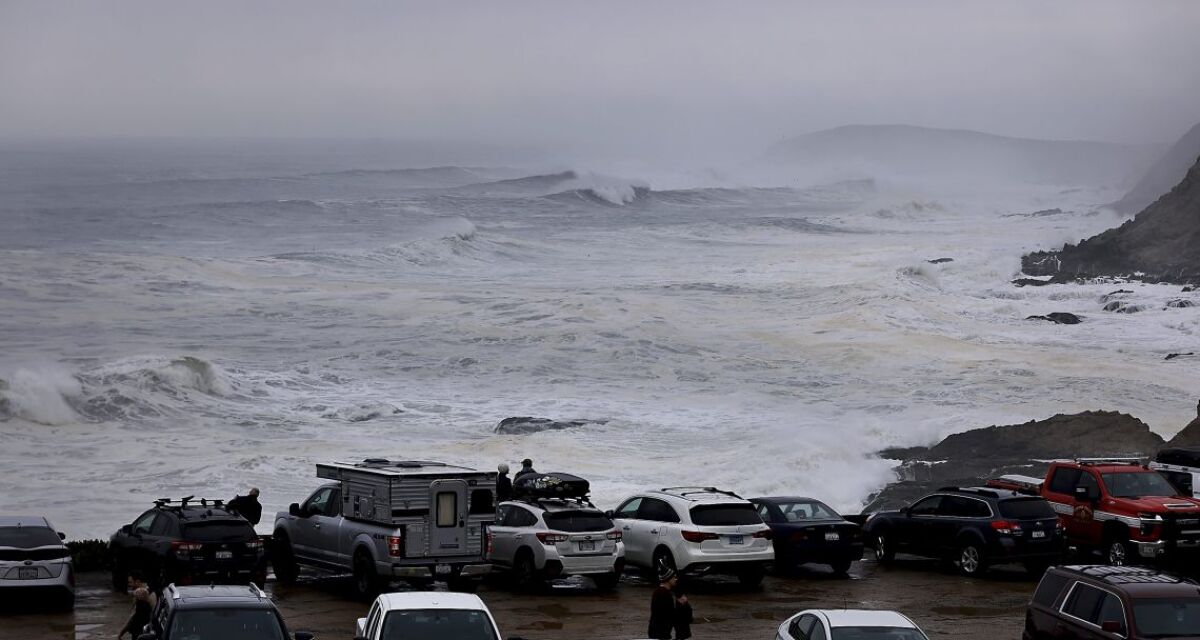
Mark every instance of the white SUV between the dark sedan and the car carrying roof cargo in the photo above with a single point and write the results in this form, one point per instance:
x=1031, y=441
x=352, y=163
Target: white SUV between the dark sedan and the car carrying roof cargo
x=697, y=530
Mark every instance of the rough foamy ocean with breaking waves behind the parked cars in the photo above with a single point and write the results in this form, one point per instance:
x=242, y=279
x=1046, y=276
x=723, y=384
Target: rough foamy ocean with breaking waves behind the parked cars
x=181, y=320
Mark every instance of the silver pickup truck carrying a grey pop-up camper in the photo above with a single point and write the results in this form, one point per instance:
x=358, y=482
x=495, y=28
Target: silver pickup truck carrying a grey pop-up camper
x=386, y=521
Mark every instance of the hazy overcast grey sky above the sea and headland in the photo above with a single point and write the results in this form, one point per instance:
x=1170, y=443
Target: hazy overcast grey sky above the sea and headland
x=686, y=75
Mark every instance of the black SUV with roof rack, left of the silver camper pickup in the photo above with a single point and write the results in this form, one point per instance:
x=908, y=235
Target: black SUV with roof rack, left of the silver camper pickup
x=189, y=542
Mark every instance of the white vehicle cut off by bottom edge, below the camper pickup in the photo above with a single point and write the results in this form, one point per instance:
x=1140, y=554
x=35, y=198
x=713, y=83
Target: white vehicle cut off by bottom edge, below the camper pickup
x=427, y=614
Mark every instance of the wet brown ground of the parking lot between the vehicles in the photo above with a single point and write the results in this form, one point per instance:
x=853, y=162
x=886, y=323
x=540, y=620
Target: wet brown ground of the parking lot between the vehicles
x=946, y=606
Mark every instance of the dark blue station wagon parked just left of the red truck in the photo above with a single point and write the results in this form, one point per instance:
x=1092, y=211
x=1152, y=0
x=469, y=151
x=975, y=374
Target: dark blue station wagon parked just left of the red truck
x=973, y=528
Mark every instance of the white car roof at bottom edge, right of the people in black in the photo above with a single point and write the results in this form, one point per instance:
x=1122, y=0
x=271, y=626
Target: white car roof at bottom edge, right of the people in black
x=849, y=625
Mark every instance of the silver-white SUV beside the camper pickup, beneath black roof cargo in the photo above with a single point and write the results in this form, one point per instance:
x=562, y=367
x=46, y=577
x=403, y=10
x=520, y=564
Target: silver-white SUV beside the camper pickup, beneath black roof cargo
x=549, y=539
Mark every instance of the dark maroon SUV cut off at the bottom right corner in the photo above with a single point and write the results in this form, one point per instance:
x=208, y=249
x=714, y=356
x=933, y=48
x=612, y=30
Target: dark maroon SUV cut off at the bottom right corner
x=1106, y=602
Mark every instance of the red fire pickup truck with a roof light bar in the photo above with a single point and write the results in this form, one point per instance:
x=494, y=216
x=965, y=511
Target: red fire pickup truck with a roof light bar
x=1121, y=507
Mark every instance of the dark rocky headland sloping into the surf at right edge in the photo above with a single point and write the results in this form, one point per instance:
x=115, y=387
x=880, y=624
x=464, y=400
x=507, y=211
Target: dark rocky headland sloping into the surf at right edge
x=1161, y=244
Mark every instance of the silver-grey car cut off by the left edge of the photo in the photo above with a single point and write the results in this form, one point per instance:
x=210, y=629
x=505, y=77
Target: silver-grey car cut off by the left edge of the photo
x=34, y=560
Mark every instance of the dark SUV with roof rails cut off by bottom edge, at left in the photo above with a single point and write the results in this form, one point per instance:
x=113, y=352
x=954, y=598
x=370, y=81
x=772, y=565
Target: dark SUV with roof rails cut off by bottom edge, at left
x=230, y=613
